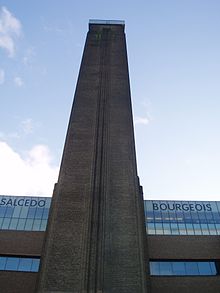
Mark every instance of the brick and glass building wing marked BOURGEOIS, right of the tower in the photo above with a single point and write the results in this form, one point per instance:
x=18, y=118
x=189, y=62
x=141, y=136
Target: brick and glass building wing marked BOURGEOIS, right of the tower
x=183, y=246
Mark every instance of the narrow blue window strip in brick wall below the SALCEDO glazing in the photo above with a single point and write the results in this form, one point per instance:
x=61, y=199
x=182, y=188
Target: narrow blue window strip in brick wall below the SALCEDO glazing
x=20, y=264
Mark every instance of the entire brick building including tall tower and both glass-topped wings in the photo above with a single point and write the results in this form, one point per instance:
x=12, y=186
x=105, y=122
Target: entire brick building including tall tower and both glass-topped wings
x=97, y=235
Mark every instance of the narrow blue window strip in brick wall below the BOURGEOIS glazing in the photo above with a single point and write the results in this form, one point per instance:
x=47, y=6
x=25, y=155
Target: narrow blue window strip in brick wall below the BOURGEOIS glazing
x=184, y=268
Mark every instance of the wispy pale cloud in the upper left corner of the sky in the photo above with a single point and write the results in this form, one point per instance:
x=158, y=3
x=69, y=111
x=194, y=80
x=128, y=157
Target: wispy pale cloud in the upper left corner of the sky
x=10, y=28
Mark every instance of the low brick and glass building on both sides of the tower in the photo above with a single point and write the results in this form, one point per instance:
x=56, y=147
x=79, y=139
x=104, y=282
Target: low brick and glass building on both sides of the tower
x=183, y=244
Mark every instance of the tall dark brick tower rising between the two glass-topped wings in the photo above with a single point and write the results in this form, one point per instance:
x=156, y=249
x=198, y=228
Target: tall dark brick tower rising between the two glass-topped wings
x=95, y=240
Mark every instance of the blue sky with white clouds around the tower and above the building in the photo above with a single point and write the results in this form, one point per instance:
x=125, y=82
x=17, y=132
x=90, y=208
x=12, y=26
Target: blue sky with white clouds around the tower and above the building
x=174, y=62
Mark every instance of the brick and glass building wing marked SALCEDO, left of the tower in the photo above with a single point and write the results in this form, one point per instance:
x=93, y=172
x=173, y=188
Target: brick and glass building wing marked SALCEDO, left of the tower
x=23, y=223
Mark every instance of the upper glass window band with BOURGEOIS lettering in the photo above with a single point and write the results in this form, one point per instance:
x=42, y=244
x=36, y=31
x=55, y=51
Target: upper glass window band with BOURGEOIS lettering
x=182, y=218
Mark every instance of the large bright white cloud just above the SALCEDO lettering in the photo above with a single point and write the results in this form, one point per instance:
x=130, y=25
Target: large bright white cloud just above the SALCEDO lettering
x=32, y=175
